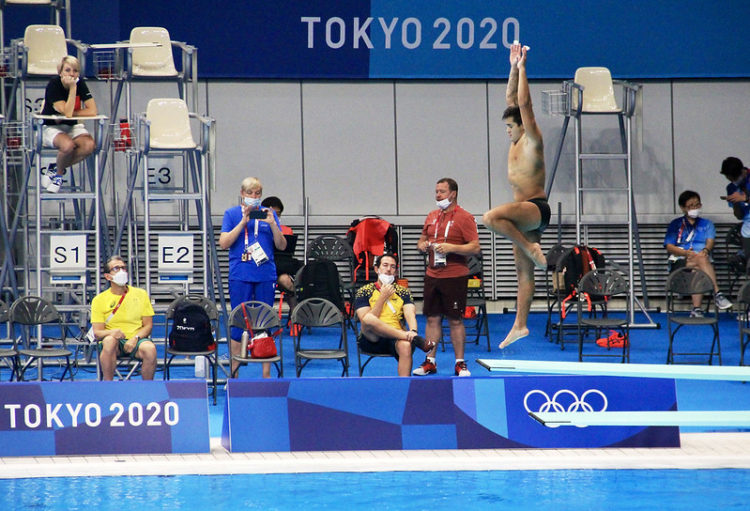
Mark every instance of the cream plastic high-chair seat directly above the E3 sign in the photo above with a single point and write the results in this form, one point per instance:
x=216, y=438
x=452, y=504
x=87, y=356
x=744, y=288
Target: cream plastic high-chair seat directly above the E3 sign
x=170, y=124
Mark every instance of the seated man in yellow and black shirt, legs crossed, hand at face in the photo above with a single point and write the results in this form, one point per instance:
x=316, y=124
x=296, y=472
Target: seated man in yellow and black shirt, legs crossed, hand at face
x=382, y=307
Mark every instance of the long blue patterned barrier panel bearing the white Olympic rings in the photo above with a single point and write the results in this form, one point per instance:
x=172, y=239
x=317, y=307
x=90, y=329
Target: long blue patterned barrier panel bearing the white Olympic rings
x=437, y=413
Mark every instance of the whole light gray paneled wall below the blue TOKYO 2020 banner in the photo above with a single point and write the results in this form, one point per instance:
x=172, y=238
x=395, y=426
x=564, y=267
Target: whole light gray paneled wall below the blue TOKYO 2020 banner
x=378, y=147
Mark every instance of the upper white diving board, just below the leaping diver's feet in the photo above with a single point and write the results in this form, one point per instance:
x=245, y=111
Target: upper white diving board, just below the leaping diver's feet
x=689, y=372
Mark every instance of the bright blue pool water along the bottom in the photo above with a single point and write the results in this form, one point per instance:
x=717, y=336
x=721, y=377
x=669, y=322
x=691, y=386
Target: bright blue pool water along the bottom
x=558, y=490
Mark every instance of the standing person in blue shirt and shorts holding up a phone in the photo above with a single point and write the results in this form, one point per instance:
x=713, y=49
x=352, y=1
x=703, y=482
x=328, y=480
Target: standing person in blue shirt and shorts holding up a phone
x=251, y=233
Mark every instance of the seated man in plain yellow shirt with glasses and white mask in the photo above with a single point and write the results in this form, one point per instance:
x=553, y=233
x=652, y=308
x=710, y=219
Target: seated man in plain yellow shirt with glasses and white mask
x=122, y=318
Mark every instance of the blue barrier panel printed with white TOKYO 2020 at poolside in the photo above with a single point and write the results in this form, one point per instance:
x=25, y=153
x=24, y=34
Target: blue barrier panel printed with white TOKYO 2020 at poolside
x=75, y=418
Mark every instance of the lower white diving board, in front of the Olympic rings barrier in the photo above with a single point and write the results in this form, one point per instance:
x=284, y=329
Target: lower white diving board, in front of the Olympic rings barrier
x=730, y=418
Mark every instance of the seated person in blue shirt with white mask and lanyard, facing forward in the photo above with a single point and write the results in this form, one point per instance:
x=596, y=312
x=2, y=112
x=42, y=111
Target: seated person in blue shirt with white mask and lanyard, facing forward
x=689, y=241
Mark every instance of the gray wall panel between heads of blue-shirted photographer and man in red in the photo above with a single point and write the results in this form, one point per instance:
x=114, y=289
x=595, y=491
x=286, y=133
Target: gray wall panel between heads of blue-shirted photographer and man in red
x=349, y=146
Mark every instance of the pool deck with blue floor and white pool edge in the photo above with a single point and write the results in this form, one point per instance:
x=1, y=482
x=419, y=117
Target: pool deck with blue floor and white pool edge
x=701, y=448
